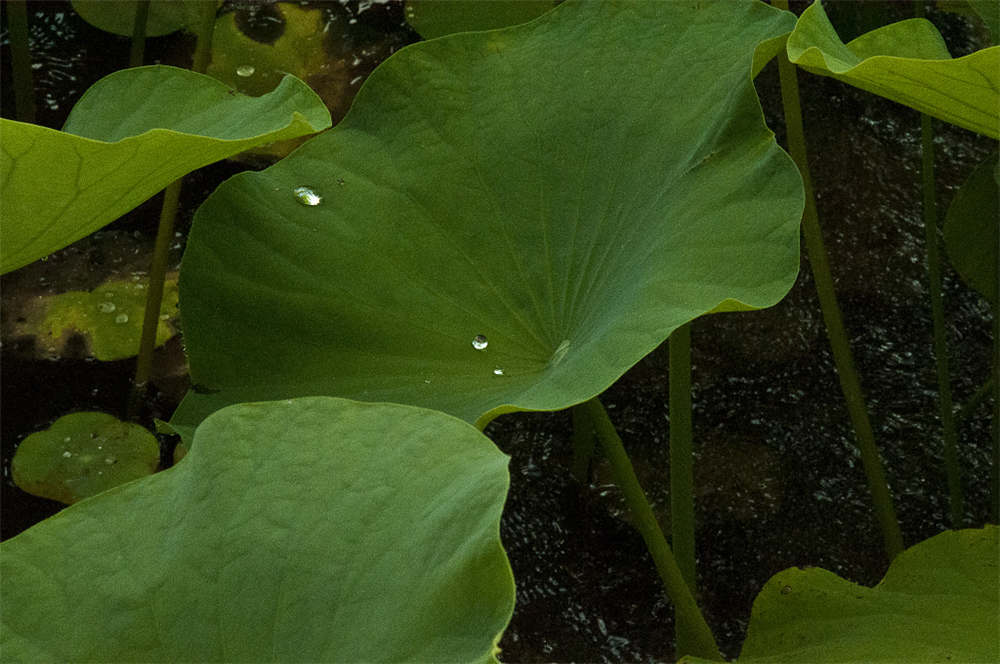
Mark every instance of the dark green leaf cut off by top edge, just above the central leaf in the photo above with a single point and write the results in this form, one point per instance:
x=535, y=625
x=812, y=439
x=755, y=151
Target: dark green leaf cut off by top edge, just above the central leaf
x=436, y=18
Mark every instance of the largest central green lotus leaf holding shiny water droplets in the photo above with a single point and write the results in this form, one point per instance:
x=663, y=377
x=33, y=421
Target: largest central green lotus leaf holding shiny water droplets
x=520, y=185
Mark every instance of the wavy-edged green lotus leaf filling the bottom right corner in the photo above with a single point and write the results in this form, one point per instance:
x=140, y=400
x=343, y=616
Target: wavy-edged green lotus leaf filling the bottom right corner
x=939, y=602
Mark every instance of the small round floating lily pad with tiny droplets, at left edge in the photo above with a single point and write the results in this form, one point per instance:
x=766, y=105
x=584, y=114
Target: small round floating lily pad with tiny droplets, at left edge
x=83, y=454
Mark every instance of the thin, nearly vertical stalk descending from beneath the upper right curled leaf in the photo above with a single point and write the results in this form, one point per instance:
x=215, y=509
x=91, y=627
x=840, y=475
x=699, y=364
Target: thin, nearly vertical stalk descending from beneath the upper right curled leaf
x=945, y=406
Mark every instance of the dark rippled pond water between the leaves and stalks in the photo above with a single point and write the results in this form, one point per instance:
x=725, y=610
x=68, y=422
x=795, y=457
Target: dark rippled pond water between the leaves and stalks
x=778, y=479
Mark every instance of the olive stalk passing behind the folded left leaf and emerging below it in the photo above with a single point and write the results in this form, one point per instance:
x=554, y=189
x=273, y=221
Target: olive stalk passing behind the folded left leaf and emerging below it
x=164, y=235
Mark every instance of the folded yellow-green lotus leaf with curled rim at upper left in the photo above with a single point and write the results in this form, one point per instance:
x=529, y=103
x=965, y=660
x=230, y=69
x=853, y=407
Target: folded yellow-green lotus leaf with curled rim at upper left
x=131, y=134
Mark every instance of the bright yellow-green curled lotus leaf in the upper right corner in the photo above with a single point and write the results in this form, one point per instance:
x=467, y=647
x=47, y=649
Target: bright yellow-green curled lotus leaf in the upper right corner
x=906, y=62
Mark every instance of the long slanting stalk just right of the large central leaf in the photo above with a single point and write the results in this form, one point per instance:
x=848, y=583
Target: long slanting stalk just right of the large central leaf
x=850, y=384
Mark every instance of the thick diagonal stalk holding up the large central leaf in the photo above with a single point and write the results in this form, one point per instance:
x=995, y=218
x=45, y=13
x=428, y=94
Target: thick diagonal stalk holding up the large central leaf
x=699, y=639
